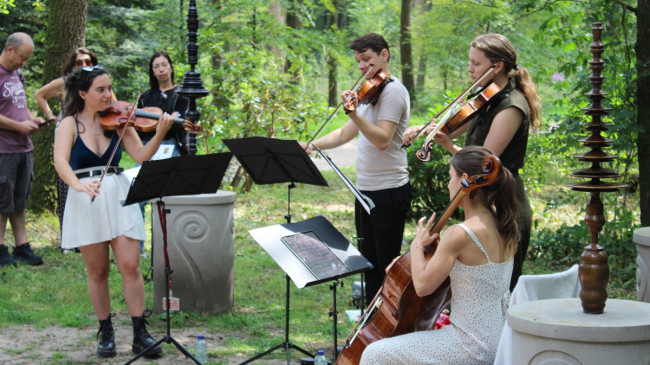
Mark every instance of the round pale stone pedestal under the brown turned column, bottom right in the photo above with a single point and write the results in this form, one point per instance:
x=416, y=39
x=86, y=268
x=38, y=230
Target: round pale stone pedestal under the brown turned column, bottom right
x=557, y=331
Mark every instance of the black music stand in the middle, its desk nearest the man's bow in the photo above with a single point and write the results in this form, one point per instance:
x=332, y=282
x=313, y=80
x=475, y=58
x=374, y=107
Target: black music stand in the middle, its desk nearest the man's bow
x=272, y=161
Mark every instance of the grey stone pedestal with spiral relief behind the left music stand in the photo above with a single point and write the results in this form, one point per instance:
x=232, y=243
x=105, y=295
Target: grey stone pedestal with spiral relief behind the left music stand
x=200, y=244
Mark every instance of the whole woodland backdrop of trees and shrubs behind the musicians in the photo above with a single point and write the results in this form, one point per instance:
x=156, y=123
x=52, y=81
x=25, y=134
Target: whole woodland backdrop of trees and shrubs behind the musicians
x=276, y=68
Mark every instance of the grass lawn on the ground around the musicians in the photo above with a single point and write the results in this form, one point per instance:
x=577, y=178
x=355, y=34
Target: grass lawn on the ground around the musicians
x=55, y=295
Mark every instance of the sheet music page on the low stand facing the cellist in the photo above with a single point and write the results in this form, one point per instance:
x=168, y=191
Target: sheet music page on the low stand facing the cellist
x=315, y=255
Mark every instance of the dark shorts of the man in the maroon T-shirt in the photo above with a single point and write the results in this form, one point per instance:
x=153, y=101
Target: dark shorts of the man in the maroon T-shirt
x=16, y=177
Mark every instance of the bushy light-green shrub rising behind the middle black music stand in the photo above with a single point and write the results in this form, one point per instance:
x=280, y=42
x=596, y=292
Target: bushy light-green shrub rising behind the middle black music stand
x=256, y=101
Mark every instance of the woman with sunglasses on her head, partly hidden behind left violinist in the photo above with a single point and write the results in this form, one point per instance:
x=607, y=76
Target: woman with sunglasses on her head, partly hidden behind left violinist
x=80, y=57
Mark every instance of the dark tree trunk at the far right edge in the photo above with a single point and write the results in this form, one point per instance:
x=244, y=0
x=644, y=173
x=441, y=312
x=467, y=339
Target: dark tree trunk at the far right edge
x=643, y=106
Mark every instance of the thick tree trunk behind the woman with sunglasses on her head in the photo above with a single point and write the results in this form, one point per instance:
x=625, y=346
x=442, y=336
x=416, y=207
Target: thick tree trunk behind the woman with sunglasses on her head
x=65, y=32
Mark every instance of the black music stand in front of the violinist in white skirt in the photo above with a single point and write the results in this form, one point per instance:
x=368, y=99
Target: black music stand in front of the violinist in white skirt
x=183, y=175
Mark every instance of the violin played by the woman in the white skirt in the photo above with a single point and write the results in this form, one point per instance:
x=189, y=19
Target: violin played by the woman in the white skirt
x=143, y=120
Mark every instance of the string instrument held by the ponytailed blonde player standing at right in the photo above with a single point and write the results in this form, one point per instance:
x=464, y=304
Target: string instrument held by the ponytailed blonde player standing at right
x=461, y=117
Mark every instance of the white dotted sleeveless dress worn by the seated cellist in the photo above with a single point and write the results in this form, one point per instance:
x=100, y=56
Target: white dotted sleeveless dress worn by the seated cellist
x=478, y=311
